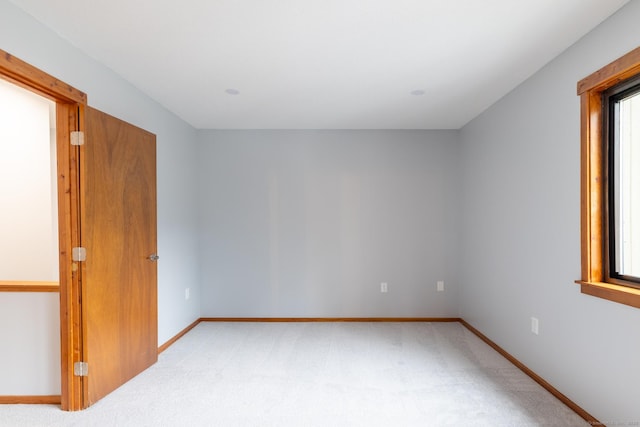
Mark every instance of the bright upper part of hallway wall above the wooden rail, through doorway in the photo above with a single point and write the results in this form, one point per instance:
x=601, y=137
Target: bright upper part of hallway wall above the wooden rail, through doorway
x=28, y=217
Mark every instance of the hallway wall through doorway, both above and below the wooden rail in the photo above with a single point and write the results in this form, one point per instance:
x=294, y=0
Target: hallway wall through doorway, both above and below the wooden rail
x=29, y=244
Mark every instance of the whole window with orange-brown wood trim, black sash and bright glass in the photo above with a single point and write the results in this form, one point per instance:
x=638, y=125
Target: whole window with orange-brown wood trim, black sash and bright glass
x=610, y=181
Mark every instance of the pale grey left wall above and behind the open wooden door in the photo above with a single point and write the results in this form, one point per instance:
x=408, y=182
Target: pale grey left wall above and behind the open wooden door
x=26, y=38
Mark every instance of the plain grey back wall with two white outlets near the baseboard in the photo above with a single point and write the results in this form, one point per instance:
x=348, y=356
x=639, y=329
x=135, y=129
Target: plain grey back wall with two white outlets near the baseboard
x=309, y=223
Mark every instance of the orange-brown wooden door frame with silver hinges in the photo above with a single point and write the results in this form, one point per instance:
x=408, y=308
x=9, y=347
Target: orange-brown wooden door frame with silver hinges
x=70, y=103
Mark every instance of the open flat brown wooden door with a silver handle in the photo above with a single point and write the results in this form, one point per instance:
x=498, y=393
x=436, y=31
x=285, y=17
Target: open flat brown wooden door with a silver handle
x=118, y=231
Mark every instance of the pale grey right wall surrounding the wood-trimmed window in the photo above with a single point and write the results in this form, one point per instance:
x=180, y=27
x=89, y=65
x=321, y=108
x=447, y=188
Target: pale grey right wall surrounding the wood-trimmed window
x=521, y=234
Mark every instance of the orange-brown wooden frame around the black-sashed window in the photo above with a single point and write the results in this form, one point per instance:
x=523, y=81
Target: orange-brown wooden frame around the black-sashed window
x=596, y=279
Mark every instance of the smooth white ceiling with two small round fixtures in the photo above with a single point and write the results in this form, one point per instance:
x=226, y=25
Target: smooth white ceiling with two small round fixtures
x=323, y=64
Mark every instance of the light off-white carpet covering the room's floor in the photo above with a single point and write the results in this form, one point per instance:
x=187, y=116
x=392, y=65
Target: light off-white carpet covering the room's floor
x=320, y=374
